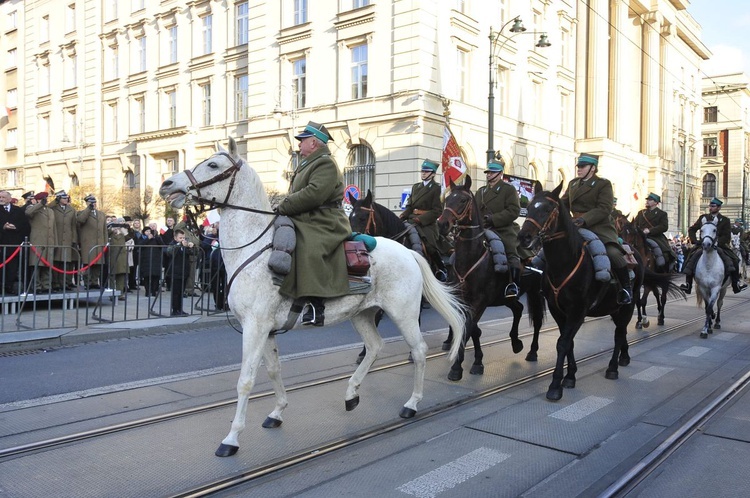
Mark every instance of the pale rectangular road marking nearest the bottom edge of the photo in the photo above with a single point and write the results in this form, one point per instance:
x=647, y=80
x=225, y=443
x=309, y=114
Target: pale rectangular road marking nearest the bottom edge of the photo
x=453, y=473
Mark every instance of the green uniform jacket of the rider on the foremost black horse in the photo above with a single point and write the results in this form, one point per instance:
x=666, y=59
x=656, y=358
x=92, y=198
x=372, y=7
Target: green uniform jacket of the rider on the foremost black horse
x=593, y=201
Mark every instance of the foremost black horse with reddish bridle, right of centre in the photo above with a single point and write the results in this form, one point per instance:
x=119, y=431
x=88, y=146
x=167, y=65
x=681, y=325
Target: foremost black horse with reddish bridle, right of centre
x=570, y=288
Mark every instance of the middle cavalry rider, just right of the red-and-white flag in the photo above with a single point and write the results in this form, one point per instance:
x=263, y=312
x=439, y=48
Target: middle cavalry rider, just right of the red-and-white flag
x=499, y=207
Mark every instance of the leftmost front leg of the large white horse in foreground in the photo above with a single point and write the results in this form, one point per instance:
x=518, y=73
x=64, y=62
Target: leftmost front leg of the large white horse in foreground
x=252, y=351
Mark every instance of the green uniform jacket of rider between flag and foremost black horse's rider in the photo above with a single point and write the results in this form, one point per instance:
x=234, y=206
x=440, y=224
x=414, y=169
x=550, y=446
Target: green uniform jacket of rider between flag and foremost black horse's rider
x=501, y=204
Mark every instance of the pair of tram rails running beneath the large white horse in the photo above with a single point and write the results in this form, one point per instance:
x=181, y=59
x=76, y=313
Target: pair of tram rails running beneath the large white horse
x=334, y=445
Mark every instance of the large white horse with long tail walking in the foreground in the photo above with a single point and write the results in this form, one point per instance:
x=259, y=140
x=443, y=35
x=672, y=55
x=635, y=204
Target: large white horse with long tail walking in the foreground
x=399, y=279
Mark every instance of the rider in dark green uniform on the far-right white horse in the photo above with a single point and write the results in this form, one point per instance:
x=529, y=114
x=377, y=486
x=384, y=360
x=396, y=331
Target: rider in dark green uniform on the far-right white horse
x=723, y=241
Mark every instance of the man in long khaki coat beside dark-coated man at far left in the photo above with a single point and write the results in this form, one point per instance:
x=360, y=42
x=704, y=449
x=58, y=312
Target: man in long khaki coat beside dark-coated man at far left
x=43, y=237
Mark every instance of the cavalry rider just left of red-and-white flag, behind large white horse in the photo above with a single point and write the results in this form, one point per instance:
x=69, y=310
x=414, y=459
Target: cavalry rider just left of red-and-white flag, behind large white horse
x=423, y=210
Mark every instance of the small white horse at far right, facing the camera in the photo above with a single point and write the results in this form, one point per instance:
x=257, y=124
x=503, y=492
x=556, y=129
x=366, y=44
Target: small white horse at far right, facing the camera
x=709, y=277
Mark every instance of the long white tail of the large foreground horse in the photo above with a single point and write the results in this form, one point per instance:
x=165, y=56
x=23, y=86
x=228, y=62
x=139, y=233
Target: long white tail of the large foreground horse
x=445, y=301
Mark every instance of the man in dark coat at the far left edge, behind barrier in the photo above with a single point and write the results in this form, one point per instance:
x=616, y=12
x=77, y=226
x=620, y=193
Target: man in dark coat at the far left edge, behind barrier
x=15, y=229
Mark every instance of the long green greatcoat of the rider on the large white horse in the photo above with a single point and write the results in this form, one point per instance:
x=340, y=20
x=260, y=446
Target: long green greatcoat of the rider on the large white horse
x=314, y=205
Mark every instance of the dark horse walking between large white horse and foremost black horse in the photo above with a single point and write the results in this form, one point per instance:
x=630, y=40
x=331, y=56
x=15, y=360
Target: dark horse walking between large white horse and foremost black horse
x=480, y=285
